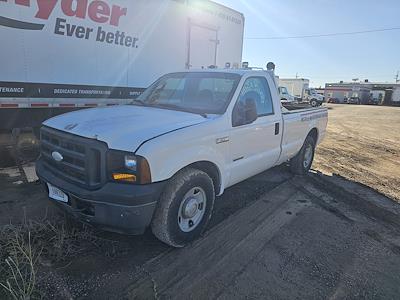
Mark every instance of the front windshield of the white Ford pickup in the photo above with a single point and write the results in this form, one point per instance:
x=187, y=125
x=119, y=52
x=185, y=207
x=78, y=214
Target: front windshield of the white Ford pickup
x=197, y=92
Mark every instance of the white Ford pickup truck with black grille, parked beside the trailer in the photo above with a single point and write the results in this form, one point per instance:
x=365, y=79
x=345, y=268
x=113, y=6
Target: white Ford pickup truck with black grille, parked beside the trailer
x=162, y=160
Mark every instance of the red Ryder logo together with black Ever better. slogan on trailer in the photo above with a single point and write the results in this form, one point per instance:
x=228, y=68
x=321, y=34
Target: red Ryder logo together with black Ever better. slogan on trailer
x=95, y=10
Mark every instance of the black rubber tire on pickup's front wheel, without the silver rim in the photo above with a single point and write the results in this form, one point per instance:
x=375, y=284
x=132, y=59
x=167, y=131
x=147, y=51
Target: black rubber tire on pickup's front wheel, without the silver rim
x=165, y=221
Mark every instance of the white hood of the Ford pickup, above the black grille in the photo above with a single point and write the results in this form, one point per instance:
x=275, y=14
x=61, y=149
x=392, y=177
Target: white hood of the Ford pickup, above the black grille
x=123, y=127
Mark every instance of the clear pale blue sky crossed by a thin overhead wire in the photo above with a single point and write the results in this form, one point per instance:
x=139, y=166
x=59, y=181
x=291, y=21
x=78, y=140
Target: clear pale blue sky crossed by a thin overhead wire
x=375, y=56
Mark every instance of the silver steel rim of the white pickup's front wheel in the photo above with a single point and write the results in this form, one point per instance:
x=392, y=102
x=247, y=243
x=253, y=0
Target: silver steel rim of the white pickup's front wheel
x=192, y=209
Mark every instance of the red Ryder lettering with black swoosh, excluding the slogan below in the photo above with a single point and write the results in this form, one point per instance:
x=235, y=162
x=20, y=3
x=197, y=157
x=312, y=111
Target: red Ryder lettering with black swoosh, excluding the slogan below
x=97, y=11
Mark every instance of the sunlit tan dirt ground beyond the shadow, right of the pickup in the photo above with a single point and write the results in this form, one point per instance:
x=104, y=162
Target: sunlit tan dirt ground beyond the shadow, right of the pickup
x=363, y=145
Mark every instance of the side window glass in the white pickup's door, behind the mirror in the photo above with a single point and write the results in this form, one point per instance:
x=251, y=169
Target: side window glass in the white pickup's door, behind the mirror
x=257, y=88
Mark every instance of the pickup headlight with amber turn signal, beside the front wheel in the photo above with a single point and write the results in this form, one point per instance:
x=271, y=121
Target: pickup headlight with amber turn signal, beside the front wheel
x=128, y=168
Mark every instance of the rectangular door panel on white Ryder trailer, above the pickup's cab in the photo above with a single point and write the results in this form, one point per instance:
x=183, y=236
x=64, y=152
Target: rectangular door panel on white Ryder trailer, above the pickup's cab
x=203, y=45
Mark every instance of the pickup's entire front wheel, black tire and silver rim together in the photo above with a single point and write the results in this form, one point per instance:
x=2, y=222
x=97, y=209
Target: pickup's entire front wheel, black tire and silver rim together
x=185, y=208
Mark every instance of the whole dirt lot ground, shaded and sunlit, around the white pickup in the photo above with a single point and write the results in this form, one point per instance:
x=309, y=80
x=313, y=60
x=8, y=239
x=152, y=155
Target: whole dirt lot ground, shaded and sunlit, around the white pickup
x=273, y=236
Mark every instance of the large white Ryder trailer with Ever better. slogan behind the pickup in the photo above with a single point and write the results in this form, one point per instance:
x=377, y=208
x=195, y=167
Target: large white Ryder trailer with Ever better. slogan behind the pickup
x=63, y=55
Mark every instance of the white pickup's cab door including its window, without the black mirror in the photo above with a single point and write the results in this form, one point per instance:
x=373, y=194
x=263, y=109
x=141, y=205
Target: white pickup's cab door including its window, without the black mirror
x=255, y=147
